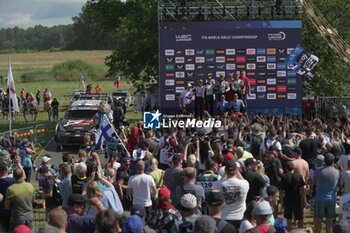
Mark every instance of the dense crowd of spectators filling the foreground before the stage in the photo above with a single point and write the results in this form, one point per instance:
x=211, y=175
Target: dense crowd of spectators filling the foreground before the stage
x=236, y=178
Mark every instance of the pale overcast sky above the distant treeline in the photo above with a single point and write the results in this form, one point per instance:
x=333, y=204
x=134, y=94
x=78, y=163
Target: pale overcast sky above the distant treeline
x=28, y=13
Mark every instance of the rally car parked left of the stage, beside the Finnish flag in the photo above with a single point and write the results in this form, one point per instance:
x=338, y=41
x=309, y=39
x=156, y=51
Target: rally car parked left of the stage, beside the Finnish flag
x=77, y=122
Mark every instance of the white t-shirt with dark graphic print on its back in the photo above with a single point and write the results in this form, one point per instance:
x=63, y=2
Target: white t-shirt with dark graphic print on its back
x=235, y=192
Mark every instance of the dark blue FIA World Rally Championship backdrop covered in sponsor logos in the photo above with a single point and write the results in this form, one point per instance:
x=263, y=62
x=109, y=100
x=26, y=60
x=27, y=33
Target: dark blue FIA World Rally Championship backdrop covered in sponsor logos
x=195, y=50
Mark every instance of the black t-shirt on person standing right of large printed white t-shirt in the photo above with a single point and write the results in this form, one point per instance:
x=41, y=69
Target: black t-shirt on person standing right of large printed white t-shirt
x=291, y=184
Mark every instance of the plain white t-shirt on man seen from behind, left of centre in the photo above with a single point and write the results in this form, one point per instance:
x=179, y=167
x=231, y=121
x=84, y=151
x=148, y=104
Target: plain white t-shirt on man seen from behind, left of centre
x=141, y=189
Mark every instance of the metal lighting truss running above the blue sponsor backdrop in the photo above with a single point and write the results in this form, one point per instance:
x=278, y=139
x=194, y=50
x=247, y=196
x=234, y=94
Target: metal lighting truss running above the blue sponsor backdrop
x=206, y=10
